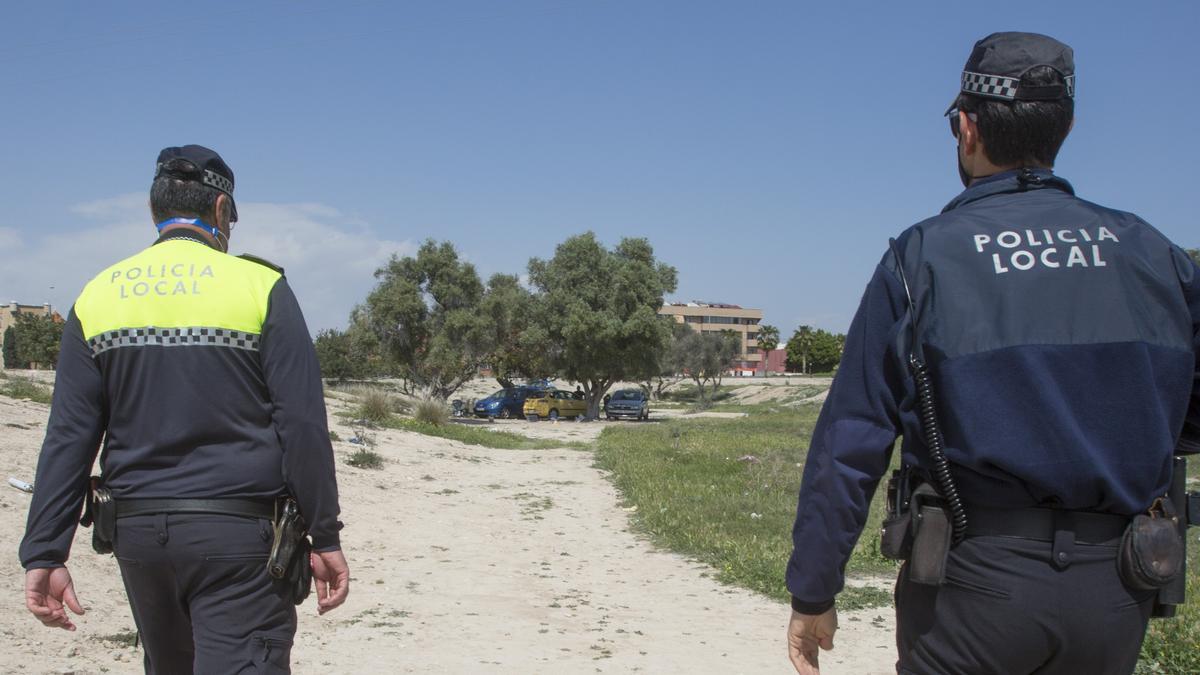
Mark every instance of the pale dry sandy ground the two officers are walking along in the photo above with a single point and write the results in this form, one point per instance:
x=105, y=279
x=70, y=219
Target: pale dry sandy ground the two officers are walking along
x=464, y=560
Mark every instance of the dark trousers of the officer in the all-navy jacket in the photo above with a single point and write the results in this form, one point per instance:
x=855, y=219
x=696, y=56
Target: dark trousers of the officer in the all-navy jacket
x=1005, y=608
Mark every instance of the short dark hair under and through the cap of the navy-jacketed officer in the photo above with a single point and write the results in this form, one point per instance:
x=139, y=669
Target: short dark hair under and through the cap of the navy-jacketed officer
x=1023, y=133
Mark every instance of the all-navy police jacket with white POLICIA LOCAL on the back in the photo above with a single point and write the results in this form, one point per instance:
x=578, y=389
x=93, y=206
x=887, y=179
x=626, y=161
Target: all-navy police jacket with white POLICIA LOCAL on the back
x=1064, y=341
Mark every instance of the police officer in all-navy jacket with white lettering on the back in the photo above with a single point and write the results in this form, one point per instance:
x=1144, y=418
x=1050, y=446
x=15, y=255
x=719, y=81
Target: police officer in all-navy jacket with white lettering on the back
x=1063, y=338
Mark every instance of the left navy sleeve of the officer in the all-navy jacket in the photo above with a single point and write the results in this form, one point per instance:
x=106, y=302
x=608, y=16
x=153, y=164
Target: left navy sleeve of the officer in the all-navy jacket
x=850, y=451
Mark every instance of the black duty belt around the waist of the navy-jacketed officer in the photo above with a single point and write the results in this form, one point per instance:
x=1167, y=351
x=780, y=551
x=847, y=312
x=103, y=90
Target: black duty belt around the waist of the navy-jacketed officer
x=1042, y=524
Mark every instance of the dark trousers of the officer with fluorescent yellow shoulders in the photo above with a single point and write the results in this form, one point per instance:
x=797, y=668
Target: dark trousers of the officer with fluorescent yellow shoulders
x=201, y=595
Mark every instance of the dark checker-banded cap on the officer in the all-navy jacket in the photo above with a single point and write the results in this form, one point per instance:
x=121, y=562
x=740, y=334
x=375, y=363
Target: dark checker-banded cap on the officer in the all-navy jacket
x=999, y=63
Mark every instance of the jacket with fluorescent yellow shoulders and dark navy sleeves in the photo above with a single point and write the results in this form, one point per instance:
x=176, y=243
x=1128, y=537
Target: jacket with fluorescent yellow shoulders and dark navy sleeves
x=197, y=371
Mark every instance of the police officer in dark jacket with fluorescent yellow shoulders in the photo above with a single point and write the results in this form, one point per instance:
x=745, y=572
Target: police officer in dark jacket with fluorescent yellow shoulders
x=196, y=371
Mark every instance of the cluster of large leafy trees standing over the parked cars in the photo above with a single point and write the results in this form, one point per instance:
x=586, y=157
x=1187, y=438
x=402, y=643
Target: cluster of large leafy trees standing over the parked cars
x=590, y=315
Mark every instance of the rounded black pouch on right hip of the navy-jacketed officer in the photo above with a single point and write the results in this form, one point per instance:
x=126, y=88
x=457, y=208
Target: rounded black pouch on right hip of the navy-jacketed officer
x=1151, y=554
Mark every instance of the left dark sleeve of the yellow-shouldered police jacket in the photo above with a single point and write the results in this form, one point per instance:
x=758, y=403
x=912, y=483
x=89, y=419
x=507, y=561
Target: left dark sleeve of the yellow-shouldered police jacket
x=79, y=419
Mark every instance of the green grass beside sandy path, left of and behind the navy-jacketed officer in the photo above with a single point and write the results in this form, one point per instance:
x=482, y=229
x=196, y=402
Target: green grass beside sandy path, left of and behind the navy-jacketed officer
x=695, y=495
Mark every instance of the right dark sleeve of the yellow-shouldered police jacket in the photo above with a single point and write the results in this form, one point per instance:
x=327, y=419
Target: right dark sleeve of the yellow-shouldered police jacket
x=293, y=380
